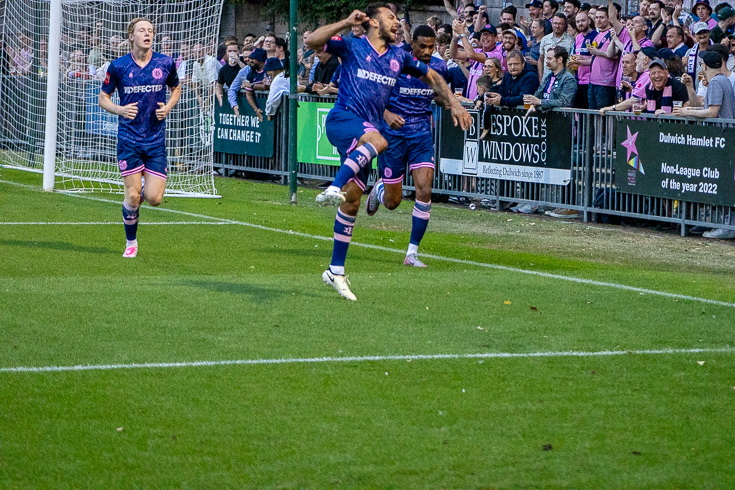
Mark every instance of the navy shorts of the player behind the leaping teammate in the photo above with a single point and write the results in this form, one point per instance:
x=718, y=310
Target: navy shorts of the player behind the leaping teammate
x=414, y=152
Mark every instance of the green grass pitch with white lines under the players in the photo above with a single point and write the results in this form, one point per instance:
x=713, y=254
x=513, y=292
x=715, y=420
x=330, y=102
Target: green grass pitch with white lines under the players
x=578, y=356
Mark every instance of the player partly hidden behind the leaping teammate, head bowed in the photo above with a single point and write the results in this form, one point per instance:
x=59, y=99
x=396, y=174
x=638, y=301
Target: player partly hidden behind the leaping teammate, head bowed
x=407, y=130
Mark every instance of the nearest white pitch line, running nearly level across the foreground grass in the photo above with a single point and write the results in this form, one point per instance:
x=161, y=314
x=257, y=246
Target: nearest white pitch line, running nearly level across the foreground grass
x=318, y=360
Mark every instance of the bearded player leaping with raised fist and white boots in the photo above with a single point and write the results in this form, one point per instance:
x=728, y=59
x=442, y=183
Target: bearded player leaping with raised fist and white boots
x=370, y=68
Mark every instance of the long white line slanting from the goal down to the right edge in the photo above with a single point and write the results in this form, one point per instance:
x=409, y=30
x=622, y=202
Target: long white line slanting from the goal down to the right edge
x=435, y=257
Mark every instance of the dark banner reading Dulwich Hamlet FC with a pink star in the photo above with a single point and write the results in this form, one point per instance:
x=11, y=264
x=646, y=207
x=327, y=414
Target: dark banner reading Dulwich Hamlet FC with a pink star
x=684, y=162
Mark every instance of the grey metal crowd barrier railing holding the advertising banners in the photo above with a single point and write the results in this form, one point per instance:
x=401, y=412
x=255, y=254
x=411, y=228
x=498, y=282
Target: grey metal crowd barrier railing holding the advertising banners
x=591, y=191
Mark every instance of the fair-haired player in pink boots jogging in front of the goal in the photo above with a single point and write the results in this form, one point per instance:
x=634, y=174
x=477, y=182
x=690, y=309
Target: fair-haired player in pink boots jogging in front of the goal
x=141, y=78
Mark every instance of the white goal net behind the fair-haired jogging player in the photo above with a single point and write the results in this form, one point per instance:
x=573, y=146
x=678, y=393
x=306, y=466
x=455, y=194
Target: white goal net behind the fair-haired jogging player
x=92, y=34
